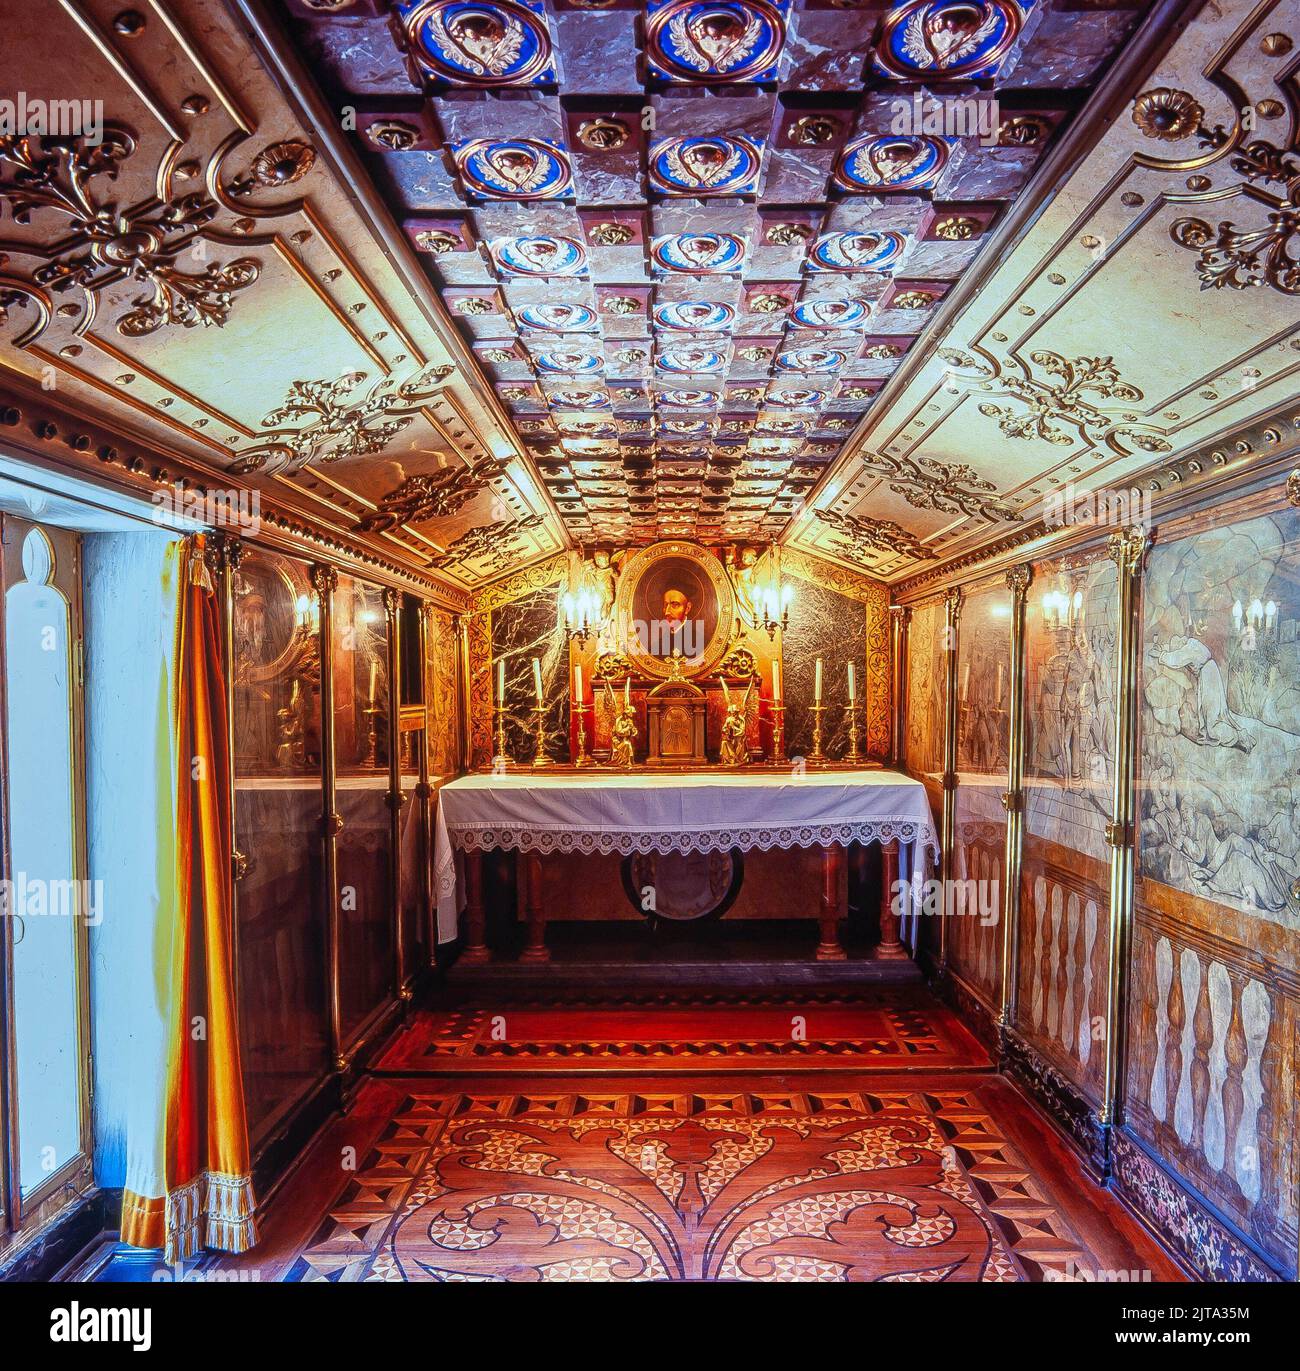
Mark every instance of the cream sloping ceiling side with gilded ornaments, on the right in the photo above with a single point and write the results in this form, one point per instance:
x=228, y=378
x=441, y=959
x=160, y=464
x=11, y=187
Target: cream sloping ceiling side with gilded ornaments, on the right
x=1153, y=306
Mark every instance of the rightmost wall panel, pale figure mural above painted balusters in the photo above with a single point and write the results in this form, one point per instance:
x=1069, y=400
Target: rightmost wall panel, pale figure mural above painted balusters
x=1213, y=1004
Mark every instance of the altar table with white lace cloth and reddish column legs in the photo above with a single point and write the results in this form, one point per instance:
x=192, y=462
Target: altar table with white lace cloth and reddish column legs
x=636, y=812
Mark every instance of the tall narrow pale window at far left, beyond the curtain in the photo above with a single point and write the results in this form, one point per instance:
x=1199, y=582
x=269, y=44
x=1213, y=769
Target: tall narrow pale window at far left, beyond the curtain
x=49, y=904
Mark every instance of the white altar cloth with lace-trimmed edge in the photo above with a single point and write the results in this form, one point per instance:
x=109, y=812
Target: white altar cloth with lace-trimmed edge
x=642, y=812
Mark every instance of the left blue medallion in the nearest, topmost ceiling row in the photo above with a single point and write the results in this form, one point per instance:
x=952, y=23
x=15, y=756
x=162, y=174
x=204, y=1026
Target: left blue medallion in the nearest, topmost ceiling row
x=498, y=45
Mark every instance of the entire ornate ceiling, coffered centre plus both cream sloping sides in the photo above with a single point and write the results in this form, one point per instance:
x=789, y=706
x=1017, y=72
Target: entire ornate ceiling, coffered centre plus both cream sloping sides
x=471, y=282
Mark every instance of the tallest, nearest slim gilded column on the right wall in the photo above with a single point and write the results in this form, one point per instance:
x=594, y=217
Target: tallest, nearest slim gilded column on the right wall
x=1129, y=552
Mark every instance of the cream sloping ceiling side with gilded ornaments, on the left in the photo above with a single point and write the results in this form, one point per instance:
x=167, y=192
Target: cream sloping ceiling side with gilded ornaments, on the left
x=195, y=274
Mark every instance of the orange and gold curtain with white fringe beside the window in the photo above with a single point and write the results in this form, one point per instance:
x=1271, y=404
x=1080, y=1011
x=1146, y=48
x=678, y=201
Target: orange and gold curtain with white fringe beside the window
x=208, y=1188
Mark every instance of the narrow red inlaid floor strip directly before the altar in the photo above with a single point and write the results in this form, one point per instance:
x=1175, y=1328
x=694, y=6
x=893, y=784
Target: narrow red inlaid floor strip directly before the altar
x=878, y=1030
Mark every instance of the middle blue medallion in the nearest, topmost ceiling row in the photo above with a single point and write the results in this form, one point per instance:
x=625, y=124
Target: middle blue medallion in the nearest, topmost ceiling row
x=726, y=42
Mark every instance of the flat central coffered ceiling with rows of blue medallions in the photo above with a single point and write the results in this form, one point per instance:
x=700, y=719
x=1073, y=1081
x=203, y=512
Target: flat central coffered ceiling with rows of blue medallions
x=690, y=241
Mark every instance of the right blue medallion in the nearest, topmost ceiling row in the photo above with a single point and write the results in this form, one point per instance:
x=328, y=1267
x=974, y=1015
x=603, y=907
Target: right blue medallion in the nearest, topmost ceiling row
x=952, y=40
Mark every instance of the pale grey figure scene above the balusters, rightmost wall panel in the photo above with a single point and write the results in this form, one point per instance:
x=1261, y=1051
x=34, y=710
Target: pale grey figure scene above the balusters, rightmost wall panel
x=1221, y=716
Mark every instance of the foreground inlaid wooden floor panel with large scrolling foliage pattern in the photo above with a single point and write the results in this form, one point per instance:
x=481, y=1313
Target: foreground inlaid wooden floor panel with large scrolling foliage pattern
x=759, y=1184
